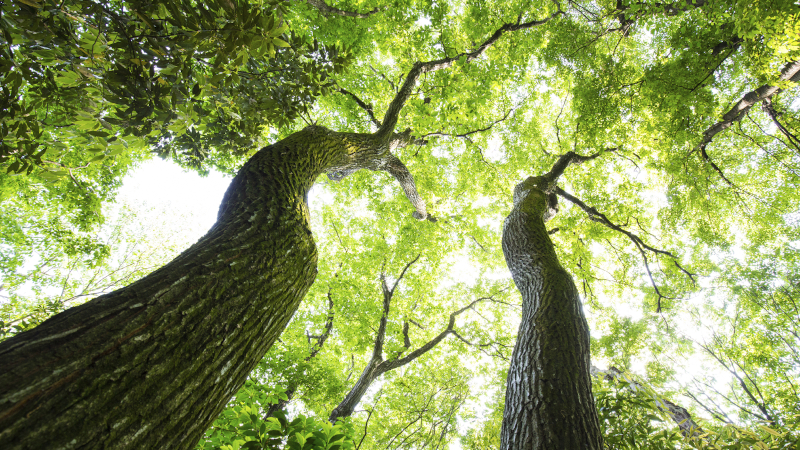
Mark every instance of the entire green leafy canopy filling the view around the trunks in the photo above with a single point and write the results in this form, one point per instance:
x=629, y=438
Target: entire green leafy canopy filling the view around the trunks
x=681, y=232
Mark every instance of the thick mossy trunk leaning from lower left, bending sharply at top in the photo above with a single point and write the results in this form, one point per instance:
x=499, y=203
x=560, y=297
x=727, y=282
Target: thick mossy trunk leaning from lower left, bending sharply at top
x=153, y=364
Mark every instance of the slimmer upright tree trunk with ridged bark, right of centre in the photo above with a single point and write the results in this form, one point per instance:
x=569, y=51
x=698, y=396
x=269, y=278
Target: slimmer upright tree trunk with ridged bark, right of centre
x=549, y=402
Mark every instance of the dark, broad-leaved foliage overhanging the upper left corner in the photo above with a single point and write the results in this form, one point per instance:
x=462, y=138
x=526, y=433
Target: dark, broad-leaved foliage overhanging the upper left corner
x=194, y=81
